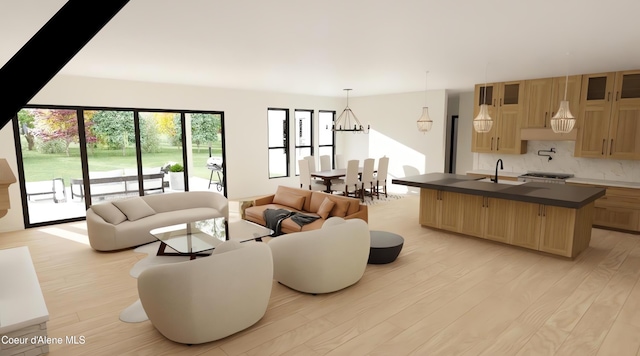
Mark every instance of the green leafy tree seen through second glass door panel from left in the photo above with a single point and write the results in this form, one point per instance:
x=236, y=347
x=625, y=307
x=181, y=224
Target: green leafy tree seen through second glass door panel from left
x=114, y=129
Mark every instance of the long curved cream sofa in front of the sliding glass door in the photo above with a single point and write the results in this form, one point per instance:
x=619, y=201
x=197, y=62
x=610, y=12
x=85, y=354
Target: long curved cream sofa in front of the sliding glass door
x=126, y=223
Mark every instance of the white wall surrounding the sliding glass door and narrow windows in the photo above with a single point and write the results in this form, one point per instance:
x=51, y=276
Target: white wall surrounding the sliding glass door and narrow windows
x=393, y=119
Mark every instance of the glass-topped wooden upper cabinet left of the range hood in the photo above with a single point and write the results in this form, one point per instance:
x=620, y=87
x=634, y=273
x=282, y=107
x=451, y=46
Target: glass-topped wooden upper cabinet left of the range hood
x=506, y=107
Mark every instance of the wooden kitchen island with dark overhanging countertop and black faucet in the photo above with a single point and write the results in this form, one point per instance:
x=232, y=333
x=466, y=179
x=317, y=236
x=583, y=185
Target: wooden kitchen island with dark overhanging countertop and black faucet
x=552, y=218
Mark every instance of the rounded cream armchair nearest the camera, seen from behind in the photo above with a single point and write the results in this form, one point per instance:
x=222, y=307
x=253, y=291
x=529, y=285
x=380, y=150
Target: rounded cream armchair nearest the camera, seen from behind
x=209, y=298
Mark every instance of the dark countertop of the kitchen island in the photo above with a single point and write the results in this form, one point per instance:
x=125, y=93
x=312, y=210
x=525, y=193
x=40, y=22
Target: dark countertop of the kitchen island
x=562, y=195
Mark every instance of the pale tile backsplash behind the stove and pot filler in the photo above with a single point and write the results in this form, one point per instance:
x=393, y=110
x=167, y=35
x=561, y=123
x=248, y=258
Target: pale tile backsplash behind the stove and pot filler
x=562, y=162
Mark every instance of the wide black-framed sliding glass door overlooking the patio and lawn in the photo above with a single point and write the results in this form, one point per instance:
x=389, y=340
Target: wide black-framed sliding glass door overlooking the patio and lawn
x=72, y=158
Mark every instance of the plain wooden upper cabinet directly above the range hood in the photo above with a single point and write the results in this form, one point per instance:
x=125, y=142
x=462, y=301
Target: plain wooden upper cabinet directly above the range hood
x=543, y=97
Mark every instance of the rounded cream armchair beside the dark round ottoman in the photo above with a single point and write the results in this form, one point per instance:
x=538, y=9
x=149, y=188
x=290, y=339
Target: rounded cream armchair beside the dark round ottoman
x=324, y=260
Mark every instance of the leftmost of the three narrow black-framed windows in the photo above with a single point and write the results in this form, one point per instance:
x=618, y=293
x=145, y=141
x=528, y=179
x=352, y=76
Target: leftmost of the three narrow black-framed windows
x=278, y=128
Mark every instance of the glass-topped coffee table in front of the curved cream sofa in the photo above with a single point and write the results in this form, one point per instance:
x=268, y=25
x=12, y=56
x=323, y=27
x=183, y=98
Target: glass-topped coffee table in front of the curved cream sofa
x=198, y=238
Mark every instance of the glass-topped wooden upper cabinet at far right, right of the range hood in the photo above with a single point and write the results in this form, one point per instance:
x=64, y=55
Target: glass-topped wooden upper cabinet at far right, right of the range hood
x=609, y=120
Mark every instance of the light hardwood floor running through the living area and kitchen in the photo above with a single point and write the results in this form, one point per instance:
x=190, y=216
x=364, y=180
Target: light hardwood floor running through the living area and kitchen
x=446, y=294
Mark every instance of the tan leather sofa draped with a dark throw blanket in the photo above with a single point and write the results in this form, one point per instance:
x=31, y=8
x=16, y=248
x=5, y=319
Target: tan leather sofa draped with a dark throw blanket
x=306, y=202
